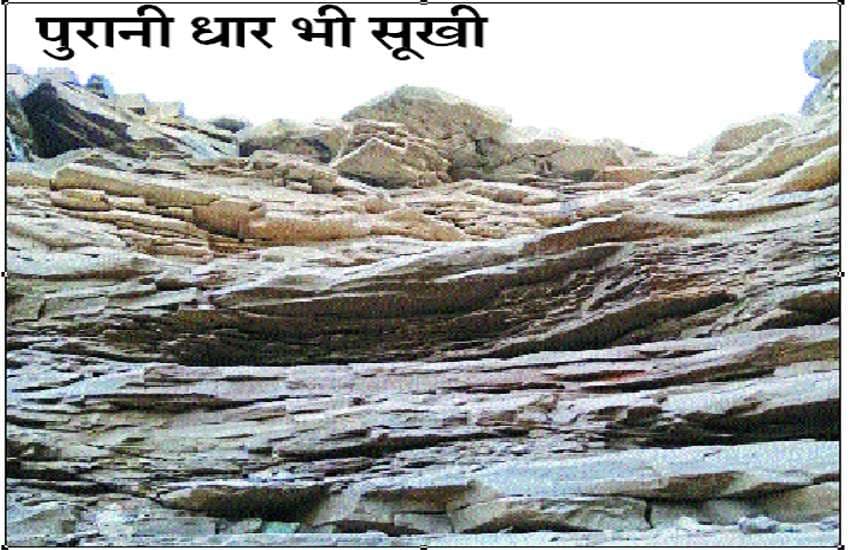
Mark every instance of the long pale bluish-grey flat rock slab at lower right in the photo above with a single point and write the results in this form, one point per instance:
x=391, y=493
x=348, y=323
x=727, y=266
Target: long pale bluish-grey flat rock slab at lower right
x=691, y=473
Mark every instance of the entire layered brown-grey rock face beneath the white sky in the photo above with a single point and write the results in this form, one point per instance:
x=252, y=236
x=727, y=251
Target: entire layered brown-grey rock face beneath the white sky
x=418, y=325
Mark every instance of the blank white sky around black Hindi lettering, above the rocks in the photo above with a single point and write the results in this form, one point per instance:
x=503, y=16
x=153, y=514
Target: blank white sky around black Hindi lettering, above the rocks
x=663, y=77
